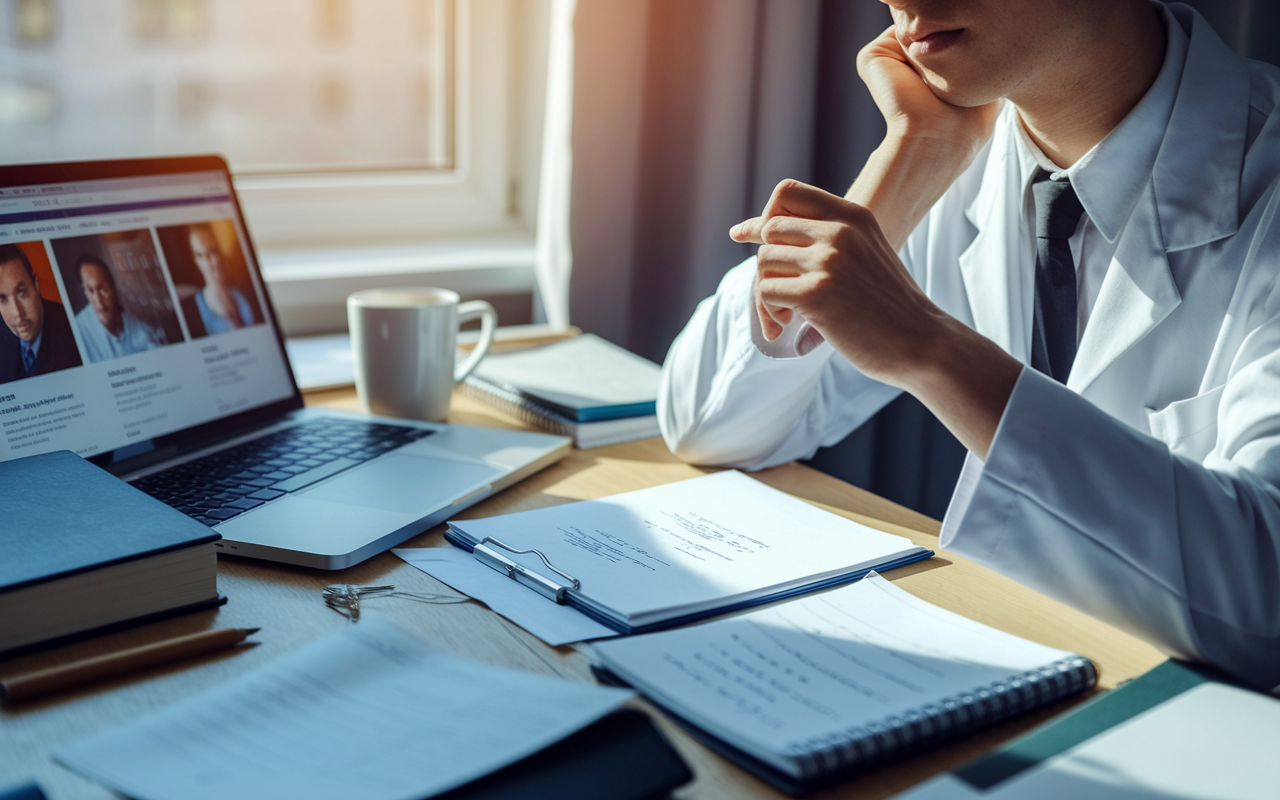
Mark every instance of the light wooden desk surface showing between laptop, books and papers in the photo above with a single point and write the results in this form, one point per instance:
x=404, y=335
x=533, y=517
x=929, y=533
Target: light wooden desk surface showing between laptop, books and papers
x=286, y=602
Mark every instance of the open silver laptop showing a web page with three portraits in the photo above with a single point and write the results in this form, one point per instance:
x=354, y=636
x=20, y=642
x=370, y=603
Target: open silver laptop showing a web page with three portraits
x=139, y=333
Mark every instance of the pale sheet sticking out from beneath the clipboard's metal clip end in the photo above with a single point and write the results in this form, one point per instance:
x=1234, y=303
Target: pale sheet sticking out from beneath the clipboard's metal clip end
x=554, y=624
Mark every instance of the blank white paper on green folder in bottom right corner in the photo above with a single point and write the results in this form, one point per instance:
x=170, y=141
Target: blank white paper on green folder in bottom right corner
x=1212, y=743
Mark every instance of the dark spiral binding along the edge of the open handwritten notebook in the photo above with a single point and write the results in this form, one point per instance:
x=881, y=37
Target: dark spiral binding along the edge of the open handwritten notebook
x=865, y=747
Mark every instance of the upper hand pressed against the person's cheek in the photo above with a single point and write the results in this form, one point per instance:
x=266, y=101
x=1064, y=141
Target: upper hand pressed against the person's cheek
x=912, y=109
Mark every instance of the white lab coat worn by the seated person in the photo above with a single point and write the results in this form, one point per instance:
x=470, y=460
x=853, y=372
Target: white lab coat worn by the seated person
x=1148, y=491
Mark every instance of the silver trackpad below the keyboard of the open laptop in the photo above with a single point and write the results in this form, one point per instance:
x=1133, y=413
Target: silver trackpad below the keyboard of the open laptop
x=406, y=484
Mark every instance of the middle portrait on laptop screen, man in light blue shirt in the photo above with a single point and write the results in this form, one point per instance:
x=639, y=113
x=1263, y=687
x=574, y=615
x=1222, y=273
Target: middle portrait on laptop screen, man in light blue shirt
x=118, y=294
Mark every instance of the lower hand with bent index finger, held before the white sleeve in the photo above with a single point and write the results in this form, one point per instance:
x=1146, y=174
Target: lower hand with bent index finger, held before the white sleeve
x=825, y=258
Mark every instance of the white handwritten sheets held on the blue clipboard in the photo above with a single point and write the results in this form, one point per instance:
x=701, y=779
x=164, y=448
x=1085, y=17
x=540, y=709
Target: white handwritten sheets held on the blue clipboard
x=689, y=543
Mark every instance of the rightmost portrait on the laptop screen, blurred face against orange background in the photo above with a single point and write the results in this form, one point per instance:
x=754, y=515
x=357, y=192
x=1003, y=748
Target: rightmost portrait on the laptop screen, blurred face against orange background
x=211, y=276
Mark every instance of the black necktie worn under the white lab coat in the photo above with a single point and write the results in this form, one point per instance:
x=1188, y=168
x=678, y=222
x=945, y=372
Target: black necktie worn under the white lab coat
x=1058, y=213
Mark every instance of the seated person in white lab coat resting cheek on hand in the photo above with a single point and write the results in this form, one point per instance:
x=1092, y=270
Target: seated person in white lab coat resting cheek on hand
x=1144, y=484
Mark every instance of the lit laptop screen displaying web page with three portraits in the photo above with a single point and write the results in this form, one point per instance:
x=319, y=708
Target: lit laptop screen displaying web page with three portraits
x=132, y=310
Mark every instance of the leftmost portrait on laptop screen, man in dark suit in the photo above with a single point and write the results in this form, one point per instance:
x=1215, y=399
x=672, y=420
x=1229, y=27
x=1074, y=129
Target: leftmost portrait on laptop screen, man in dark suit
x=36, y=337
